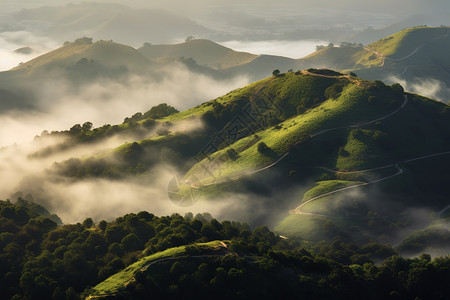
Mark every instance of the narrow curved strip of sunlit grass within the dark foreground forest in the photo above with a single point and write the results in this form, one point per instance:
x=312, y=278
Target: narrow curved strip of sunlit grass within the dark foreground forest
x=117, y=281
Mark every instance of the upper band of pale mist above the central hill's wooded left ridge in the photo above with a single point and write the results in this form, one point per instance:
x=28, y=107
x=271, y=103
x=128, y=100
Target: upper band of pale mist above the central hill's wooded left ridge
x=60, y=106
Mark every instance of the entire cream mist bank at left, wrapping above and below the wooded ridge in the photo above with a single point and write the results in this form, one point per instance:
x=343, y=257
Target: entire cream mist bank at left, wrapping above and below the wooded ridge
x=60, y=106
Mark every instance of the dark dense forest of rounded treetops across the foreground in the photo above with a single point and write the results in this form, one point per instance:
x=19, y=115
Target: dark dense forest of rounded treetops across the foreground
x=40, y=259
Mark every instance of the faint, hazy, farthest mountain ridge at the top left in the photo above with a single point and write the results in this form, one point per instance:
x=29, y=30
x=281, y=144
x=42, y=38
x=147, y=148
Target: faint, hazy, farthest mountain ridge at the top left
x=105, y=21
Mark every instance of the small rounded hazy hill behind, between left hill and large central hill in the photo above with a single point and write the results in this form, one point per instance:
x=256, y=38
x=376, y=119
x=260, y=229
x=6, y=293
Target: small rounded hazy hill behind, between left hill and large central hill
x=204, y=52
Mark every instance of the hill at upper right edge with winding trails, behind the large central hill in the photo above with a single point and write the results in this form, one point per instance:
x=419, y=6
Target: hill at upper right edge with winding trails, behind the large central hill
x=416, y=55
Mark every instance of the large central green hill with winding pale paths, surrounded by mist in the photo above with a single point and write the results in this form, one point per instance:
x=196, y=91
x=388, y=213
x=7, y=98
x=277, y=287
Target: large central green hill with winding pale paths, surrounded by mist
x=374, y=152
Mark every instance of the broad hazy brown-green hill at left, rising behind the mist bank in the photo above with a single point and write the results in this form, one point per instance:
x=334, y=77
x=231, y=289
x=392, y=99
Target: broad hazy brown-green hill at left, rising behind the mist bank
x=84, y=62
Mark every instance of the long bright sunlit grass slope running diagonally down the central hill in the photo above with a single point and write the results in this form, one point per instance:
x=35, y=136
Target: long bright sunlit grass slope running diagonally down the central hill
x=350, y=108
